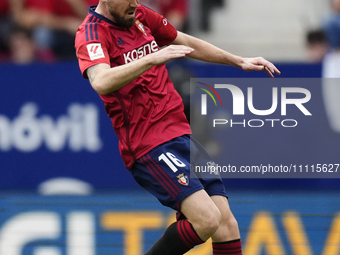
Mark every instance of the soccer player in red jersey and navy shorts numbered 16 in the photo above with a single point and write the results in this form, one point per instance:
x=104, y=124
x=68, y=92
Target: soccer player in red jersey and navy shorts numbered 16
x=119, y=50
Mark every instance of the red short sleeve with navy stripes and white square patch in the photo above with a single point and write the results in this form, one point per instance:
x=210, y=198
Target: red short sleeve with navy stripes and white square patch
x=91, y=47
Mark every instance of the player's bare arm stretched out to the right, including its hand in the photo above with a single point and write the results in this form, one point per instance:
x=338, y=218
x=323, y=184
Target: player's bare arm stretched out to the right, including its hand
x=207, y=52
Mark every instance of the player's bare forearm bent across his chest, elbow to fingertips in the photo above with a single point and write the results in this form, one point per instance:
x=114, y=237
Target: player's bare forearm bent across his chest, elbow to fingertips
x=105, y=79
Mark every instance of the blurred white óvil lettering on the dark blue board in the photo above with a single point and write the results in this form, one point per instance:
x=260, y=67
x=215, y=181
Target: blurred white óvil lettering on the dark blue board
x=78, y=130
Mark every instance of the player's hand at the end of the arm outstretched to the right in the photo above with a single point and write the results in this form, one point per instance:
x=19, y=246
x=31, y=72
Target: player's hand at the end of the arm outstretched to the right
x=259, y=64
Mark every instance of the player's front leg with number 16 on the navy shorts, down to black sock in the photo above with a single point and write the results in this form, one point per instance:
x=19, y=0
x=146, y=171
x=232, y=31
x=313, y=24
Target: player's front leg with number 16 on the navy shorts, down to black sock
x=164, y=172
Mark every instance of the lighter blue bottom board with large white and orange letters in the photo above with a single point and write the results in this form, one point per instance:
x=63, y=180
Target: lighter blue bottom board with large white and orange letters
x=272, y=223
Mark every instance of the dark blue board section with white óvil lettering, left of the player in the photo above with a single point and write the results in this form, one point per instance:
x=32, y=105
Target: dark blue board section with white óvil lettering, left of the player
x=53, y=124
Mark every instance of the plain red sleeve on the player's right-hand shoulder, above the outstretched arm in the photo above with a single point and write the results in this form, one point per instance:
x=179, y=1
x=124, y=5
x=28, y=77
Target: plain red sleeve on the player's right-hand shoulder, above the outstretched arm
x=161, y=29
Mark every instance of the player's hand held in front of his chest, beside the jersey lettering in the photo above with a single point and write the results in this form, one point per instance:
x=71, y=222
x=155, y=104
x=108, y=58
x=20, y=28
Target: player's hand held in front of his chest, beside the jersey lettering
x=171, y=52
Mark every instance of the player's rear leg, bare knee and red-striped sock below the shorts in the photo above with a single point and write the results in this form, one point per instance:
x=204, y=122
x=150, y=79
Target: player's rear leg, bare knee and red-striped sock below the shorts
x=226, y=239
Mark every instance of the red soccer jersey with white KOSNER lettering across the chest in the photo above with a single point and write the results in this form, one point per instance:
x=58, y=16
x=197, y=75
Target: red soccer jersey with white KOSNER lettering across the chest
x=148, y=111
